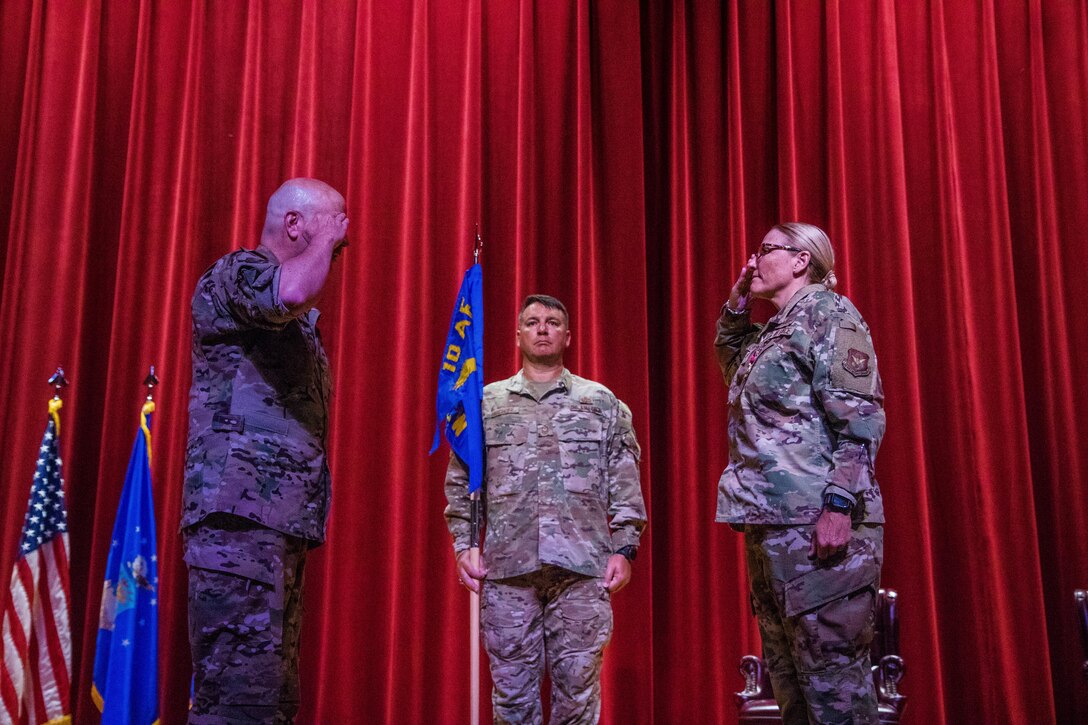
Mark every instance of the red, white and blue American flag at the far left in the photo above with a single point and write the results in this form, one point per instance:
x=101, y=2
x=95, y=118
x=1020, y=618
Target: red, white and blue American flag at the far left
x=38, y=642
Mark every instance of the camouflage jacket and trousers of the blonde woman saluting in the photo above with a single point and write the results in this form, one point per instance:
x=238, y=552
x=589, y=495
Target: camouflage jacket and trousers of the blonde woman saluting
x=807, y=419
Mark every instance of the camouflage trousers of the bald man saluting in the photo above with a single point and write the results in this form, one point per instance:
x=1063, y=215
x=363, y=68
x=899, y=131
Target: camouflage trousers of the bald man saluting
x=245, y=617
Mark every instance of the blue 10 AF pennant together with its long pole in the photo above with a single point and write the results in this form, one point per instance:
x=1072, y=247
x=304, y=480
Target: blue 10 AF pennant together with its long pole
x=460, y=400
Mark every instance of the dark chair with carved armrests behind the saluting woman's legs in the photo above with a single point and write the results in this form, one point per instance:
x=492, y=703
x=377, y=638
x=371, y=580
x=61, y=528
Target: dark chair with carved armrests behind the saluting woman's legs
x=757, y=702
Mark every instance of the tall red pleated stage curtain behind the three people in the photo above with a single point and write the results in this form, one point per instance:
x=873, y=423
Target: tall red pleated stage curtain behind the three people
x=625, y=157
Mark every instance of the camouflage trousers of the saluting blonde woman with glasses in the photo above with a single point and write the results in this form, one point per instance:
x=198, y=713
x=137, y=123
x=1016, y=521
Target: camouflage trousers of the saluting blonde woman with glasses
x=817, y=621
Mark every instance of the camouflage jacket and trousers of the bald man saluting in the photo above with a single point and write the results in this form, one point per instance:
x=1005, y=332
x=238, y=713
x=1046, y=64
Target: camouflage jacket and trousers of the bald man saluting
x=257, y=487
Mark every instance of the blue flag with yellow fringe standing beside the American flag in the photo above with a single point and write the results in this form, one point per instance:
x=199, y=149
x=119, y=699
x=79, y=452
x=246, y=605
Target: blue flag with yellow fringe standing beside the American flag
x=127, y=675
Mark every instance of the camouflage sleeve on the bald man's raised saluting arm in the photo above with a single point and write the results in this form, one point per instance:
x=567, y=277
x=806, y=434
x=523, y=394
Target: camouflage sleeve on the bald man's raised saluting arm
x=245, y=288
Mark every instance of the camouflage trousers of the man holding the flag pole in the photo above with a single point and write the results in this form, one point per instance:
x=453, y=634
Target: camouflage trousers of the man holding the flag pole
x=550, y=617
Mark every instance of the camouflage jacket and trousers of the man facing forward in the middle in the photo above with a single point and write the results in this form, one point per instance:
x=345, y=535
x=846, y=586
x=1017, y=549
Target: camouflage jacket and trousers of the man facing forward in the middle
x=563, y=497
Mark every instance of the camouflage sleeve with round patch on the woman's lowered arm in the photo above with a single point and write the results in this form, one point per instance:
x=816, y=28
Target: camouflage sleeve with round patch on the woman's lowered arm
x=847, y=384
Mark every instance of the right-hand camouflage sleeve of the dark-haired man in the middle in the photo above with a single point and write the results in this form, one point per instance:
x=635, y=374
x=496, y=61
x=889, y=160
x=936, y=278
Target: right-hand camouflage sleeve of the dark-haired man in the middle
x=626, y=508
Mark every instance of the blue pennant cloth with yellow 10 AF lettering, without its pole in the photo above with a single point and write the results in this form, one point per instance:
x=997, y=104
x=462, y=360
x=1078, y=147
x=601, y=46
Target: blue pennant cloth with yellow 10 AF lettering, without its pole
x=461, y=379
